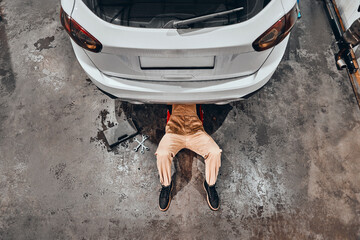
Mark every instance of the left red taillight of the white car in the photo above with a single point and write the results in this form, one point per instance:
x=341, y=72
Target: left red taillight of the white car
x=79, y=34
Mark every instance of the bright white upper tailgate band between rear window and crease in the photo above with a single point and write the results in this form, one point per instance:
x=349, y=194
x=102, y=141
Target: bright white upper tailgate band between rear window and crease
x=115, y=37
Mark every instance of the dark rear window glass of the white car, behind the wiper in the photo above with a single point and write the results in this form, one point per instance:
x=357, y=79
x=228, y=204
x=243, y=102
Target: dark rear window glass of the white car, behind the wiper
x=157, y=13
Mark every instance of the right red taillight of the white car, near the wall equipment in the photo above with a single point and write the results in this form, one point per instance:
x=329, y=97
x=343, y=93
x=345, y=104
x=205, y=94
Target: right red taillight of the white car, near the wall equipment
x=277, y=32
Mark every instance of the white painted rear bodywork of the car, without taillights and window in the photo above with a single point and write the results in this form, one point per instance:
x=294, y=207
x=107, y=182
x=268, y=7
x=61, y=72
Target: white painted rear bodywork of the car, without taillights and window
x=237, y=68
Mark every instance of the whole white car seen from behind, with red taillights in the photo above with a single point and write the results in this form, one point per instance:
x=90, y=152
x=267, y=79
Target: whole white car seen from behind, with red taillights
x=179, y=51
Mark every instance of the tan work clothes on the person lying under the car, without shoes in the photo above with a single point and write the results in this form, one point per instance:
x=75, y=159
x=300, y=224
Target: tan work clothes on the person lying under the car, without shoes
x=185, y=130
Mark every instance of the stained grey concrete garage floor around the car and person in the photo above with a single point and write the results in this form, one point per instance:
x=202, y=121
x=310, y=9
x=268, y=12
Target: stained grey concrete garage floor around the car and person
x=291, y=153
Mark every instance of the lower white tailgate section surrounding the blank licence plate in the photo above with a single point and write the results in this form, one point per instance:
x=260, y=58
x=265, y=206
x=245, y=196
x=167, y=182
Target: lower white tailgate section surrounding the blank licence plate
x=227, y=64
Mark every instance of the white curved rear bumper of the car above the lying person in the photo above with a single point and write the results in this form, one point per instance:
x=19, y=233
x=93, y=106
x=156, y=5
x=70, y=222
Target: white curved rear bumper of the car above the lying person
x=214, y=91
